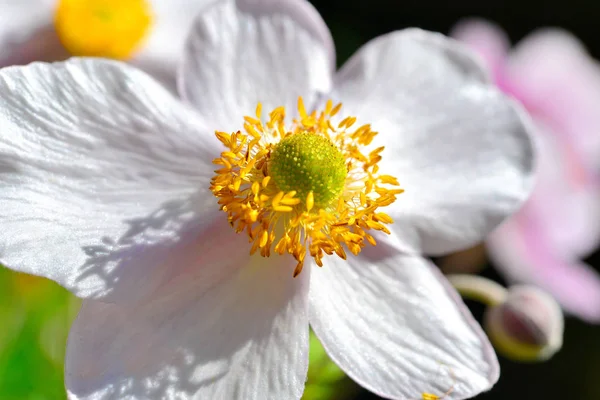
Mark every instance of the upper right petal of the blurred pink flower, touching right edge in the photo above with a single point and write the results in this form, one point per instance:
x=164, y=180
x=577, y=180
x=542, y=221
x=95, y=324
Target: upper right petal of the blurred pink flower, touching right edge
x=554, y=76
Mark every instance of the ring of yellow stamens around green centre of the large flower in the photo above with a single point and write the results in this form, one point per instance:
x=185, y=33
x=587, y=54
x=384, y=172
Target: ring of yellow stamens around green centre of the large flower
x=285, y=187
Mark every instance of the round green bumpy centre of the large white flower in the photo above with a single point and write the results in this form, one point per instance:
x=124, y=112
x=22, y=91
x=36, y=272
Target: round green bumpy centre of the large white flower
x=307, y=162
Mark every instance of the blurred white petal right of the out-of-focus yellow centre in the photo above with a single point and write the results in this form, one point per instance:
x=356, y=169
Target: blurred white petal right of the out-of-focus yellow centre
x=164, y=48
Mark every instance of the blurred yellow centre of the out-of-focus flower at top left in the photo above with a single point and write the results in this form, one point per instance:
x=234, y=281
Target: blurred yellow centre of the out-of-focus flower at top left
x=102, y=28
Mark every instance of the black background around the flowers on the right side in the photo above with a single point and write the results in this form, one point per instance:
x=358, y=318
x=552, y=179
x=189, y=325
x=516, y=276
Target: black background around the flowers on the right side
x=574, y=373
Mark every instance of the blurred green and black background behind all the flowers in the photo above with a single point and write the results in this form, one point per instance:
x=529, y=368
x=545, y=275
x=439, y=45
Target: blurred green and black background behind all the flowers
x=35, y=314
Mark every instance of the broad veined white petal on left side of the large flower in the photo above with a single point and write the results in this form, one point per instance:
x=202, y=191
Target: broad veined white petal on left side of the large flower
x=101, y=174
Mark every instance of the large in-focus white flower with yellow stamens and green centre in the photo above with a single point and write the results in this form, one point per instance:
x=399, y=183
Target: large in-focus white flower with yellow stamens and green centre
x=108, y=187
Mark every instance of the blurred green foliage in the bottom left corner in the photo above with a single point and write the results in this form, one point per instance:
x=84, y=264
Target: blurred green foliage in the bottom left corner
x=35, y=315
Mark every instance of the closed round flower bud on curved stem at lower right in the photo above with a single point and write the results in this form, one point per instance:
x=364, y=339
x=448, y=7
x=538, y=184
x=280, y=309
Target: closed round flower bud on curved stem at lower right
x=527, y=326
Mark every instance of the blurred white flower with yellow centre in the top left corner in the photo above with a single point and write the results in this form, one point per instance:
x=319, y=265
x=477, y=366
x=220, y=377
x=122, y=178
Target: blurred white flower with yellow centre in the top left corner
x=148, y=33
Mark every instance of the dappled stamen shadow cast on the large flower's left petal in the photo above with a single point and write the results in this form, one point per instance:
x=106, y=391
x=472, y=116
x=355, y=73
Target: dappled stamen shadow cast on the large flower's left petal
x=155, y=250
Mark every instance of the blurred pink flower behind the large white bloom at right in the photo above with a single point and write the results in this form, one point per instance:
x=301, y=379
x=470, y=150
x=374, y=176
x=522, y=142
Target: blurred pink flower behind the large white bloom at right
x=552, y=75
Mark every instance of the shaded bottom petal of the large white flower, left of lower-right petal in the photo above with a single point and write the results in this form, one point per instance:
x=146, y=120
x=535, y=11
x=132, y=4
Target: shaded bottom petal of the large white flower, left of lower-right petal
x=227, y=330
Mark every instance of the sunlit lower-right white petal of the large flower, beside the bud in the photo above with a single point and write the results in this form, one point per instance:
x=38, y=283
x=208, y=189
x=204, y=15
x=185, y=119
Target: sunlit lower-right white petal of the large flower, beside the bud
x=393, y=324
